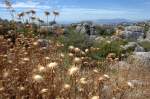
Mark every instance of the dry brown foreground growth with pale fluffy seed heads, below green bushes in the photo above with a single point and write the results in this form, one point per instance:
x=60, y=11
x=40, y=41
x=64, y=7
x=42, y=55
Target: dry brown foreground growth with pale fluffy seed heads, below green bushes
x=30, y=71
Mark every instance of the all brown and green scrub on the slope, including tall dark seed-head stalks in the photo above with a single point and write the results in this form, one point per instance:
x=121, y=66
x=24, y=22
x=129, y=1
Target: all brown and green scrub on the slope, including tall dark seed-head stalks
x=57, y=62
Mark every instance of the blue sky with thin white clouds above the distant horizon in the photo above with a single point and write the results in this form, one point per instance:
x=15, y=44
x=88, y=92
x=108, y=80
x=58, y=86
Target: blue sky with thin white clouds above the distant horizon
x=78, y=10
